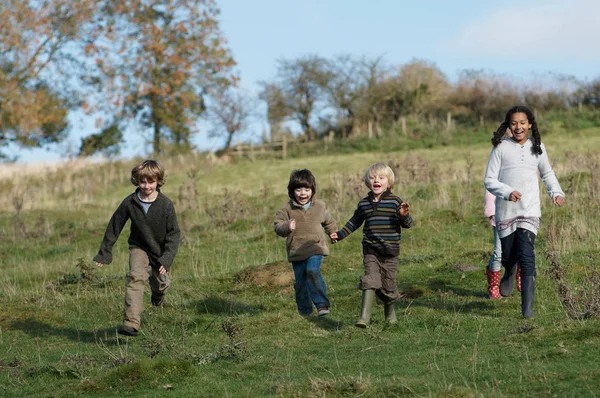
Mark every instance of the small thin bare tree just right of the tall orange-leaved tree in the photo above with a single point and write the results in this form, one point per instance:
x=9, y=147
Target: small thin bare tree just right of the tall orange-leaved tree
x=230, y=113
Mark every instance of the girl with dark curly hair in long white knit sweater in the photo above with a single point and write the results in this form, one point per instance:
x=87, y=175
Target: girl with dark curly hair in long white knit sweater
x=512, y=176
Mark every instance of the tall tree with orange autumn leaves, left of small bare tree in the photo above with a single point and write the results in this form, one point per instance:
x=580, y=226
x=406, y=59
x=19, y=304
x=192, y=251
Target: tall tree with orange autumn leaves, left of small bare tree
x=156, y=61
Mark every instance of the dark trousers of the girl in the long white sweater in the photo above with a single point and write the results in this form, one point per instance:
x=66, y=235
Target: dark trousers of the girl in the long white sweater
x=518, y=247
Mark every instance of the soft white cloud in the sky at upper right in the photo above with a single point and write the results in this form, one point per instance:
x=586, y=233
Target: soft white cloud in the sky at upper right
x=546, y=30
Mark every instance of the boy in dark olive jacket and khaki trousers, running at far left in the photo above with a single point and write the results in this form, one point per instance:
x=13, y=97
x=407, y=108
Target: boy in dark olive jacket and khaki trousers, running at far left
x=153, y=241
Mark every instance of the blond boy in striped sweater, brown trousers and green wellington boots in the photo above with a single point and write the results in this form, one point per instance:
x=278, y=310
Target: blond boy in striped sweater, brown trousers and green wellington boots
x=384, y=215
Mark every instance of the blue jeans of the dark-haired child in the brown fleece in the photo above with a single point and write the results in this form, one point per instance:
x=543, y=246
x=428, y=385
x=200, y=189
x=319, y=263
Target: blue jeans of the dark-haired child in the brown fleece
x=309, y=286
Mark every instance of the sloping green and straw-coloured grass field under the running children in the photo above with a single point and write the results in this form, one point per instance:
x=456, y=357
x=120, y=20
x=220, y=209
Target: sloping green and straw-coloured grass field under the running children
x=230, y=327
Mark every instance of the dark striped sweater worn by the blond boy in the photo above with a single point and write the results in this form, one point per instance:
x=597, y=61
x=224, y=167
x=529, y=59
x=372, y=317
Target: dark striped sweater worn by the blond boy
x=383, y=223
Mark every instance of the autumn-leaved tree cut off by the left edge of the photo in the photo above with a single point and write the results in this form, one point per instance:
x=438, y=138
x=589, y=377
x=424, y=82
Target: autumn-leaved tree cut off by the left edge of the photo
x=36, y=58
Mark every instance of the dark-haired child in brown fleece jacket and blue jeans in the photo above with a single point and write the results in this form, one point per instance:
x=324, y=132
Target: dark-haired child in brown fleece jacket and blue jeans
x=301, y=221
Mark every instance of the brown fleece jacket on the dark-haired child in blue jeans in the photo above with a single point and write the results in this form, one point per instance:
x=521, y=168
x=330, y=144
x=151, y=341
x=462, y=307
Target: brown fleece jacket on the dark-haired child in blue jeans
x=308, y=238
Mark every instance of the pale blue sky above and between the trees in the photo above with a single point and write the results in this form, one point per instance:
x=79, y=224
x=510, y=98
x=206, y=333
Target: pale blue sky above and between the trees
x=518, y=38
